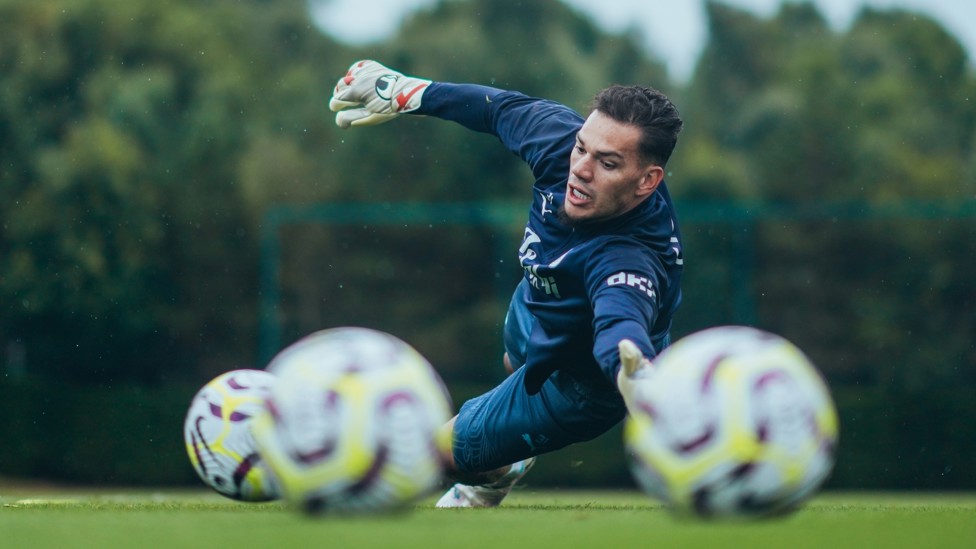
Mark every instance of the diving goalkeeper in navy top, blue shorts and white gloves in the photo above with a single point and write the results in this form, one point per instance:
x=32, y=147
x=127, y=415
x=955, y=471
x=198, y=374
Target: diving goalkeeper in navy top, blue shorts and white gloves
x=601, y=258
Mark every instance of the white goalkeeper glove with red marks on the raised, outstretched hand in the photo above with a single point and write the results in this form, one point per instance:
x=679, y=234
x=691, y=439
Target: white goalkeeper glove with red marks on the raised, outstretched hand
x=371, y=93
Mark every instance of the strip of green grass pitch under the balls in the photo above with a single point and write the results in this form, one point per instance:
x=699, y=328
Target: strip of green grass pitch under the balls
x=529, y=518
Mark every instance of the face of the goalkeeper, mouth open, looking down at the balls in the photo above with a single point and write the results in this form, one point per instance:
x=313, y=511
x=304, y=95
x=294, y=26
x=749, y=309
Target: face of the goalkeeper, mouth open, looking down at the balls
x=607, y=178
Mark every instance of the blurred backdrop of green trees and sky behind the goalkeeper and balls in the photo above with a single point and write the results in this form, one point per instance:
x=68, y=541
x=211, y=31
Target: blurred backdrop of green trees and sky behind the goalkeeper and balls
x=176, y=202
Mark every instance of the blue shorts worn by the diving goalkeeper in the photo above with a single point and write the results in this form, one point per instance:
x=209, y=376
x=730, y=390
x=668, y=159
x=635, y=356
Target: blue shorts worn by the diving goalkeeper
x=507, y=424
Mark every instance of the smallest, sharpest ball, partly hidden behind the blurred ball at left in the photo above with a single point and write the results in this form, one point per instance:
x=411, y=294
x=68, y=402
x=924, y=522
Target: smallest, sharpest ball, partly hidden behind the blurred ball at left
x=217, y=432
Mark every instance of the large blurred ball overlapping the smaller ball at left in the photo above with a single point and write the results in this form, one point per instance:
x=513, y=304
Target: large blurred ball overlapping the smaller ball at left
x=354, y=422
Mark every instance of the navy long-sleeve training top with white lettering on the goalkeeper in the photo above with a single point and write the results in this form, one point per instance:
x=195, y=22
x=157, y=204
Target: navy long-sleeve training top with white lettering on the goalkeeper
x=588, y=286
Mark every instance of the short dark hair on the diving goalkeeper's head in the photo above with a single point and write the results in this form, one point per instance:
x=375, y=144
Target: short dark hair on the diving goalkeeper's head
x=650, y=111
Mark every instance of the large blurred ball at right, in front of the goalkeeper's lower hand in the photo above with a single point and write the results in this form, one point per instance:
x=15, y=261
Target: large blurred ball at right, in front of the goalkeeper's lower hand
x=733, y=422
